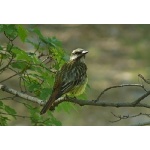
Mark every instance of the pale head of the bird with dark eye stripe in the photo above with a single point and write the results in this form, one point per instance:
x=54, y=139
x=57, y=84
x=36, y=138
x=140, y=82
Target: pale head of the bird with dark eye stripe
x=78, y=54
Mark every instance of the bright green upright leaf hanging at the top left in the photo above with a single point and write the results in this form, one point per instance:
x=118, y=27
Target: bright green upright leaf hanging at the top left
x=22, y=32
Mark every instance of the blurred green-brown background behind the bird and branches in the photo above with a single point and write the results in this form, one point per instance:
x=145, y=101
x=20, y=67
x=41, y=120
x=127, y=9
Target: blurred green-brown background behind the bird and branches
x=117, y=54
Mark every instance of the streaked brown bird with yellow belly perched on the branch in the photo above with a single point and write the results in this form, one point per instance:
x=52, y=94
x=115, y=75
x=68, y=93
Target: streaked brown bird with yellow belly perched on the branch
x=71, y=79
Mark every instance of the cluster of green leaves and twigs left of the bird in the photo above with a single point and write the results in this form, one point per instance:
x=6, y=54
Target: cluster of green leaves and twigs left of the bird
x=34, y=68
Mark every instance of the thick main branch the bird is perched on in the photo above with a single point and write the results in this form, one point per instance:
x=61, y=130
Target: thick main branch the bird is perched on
x=77, y=101
